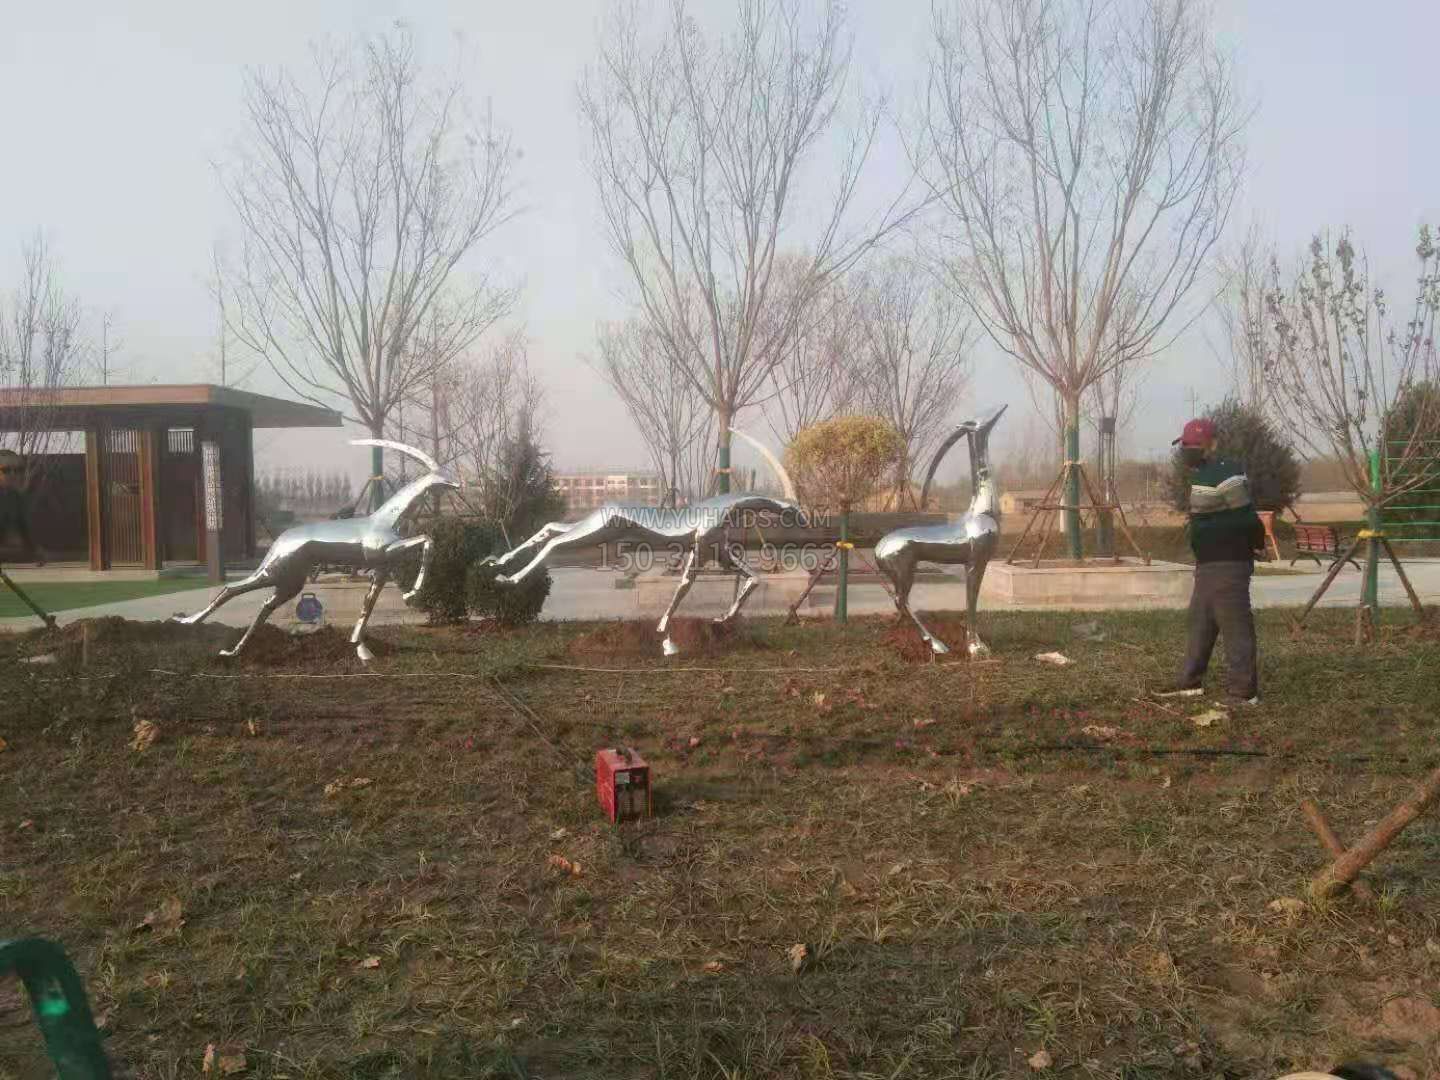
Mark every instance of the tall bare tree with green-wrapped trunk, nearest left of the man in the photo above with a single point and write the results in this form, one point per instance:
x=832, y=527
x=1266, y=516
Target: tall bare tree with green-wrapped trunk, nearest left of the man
x=1086, y=158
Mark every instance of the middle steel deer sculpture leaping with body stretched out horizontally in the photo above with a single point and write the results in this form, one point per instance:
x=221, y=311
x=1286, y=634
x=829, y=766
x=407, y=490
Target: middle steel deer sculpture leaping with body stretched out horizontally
x=695, y=529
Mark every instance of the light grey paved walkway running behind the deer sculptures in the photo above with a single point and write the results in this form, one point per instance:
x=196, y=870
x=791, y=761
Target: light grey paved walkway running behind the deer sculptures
x=585, y=594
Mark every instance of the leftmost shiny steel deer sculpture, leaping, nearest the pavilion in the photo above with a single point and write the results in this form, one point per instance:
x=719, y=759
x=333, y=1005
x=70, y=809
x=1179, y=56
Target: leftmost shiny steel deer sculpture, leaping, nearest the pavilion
x=372, y=542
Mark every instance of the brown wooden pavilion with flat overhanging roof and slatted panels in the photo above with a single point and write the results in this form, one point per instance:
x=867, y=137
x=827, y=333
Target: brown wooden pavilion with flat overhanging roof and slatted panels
x=165, y=469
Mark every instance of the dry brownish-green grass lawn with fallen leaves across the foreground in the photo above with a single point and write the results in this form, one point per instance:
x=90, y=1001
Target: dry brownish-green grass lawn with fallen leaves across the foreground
x=358, y=878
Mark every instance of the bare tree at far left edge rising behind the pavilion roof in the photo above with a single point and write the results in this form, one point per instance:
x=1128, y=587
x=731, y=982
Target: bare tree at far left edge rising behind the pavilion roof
x=42, y=351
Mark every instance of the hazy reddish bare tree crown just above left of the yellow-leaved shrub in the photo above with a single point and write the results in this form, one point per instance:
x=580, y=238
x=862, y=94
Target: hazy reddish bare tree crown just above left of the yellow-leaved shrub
x=819, y=371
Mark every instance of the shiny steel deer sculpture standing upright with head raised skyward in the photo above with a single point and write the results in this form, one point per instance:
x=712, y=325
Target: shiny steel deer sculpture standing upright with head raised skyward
x=970, y=542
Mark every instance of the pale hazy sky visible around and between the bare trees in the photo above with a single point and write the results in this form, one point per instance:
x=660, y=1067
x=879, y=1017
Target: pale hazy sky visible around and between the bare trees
x=113, y=114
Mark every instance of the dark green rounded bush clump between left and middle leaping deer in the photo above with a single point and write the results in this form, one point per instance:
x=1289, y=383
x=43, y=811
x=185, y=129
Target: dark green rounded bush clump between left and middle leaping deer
x=459, y=585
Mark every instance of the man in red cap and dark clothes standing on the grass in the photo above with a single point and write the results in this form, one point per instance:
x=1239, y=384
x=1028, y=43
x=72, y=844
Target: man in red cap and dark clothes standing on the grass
x=1225, y=535
